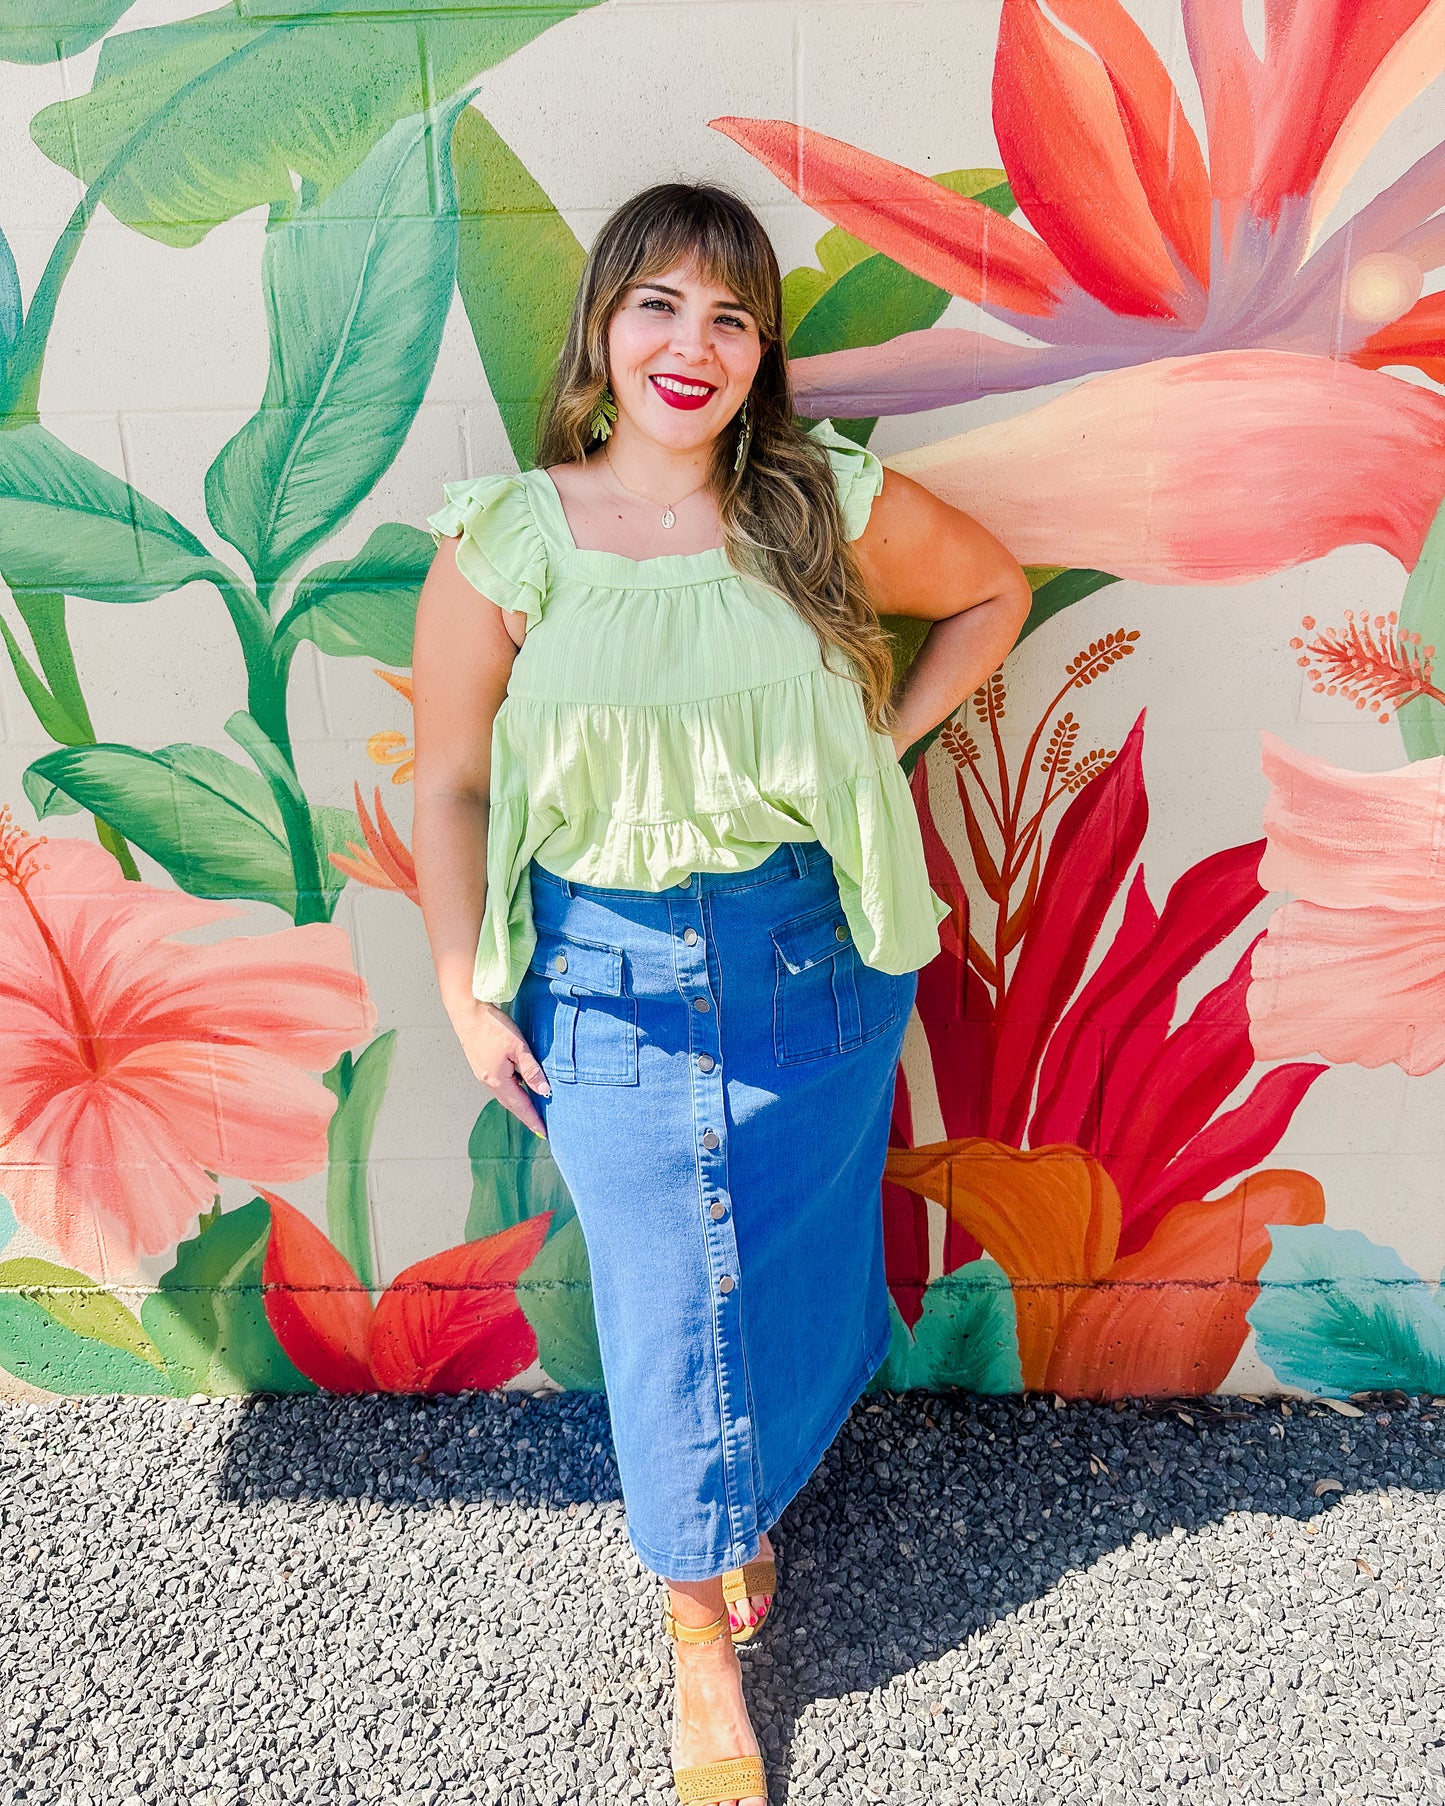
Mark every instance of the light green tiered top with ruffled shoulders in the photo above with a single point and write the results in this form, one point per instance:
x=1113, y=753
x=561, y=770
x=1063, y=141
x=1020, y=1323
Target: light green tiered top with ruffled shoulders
x=669, y=716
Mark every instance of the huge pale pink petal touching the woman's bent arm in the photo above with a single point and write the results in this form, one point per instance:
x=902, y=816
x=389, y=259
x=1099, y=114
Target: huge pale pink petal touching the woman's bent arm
x=1204, y=470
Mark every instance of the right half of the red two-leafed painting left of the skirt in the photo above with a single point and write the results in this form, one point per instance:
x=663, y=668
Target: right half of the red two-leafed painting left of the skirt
x=452, y=1323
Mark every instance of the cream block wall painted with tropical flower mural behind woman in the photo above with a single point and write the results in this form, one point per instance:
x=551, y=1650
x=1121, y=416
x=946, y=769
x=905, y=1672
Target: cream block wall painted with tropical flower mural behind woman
x=1155, y=290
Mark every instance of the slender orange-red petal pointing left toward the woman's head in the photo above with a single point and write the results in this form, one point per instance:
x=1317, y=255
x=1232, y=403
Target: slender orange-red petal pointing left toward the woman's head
x=947, y=239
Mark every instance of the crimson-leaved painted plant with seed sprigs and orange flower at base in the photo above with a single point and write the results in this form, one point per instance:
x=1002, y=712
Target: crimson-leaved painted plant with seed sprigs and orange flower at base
x=1085, y=1130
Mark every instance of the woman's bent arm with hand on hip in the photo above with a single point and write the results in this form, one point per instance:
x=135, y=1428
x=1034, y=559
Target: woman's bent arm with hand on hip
x=926, y=559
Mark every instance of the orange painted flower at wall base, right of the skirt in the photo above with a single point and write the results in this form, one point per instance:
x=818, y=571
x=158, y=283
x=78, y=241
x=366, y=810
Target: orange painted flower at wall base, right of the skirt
x=1164, y=1321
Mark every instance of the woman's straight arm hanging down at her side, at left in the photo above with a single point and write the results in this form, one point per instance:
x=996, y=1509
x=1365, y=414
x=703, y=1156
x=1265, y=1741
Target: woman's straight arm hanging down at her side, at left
x=463, y=658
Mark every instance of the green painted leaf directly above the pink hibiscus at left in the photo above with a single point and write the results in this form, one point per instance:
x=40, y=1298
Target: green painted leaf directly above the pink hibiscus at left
x=209, y=821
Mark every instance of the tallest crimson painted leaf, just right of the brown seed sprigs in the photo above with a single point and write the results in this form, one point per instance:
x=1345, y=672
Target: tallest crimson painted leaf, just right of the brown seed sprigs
x=1090, y=855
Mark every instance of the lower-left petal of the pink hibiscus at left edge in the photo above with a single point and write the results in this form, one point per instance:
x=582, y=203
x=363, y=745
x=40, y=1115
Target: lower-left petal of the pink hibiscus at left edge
x=102, y=1178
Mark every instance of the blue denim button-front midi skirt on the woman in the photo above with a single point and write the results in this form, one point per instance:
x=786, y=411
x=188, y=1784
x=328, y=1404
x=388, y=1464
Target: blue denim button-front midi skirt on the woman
x=722, y=1068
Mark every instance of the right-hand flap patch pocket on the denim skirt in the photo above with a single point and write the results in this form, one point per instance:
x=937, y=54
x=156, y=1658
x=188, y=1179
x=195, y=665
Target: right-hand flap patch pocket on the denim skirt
x=826, y=998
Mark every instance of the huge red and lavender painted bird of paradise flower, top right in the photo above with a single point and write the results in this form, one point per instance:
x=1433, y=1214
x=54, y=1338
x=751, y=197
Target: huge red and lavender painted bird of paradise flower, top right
x=1142, y=247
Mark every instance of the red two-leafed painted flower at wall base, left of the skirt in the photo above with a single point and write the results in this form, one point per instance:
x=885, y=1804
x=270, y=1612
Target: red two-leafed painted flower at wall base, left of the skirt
x=447, y=1325
